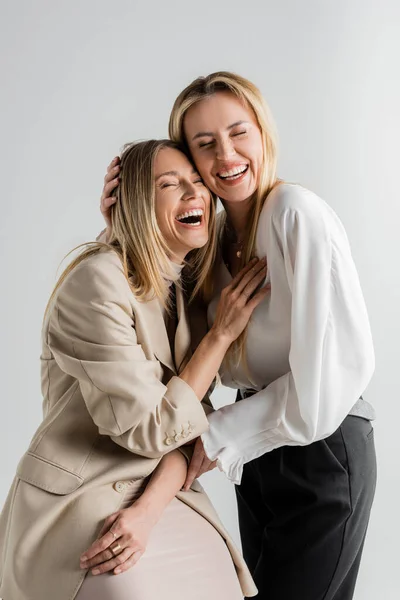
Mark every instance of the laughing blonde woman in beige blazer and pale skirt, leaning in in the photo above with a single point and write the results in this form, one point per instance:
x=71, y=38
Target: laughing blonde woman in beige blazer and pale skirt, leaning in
x=121, y=394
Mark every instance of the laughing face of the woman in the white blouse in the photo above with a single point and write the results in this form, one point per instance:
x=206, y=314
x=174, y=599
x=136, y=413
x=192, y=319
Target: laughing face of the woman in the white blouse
x=226, y=144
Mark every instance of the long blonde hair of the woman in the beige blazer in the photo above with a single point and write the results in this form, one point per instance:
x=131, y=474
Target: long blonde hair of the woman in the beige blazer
x=136, y=236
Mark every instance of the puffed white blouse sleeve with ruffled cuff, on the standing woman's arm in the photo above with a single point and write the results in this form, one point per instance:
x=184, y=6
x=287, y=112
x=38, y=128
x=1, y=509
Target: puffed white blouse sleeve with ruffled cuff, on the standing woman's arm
x=331, y=353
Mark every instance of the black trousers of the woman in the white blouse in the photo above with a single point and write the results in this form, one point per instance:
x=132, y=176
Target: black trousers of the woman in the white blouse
x=303, y=515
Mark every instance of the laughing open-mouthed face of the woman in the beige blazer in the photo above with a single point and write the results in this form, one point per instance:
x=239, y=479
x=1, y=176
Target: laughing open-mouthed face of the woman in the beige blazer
x=182, y=203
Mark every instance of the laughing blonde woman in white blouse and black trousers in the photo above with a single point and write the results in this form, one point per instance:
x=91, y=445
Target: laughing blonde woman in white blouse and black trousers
x=299, y=443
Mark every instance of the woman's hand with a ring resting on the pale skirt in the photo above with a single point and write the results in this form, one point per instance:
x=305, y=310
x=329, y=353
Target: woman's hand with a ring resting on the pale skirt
x=121, y=541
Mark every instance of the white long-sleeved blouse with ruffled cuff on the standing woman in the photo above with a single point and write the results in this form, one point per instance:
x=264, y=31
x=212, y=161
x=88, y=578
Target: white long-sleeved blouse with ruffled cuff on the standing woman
x=309, y=347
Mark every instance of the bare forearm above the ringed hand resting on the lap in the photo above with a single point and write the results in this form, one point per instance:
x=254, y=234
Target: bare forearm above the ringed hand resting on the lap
x=166, y=481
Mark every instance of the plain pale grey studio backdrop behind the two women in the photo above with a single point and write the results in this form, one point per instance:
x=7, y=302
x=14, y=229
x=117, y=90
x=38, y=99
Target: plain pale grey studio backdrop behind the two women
x=80, y=78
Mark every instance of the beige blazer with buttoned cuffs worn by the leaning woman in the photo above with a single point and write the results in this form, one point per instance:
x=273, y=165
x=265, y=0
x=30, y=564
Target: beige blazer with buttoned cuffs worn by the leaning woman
x=113, y=406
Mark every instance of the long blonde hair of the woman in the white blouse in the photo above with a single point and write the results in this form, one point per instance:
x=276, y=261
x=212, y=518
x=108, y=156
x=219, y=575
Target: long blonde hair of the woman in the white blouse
x=247, y=92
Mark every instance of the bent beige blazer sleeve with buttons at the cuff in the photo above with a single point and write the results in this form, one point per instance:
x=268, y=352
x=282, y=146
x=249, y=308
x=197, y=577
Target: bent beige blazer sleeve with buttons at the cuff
x=92, y=337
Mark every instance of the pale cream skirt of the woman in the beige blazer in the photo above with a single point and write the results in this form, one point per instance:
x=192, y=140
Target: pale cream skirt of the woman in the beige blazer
x=185, y=559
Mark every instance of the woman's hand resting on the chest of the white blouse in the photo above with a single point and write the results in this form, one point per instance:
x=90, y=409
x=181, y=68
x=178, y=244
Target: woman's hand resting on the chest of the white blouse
x=239, y=299
